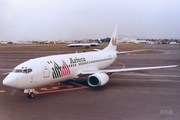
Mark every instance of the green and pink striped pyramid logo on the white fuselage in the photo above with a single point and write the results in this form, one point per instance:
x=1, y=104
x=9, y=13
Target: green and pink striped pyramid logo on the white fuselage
x=60, y=71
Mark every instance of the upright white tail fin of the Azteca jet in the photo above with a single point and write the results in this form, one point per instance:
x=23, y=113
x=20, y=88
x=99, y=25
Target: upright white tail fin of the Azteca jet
x=112, y=46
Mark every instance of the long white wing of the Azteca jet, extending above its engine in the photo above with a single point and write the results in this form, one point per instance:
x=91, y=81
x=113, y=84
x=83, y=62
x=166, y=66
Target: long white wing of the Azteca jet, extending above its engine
x=89, y=72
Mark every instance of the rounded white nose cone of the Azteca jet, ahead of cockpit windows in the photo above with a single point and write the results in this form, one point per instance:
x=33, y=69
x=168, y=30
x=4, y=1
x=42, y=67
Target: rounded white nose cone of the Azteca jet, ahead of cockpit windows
x=10, y=81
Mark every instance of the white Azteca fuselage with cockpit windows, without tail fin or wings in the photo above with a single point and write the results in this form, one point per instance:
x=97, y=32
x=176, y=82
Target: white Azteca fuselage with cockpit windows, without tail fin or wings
x=57, y=68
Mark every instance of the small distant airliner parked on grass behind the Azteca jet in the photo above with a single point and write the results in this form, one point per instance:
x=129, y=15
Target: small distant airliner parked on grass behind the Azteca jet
x=86, y=45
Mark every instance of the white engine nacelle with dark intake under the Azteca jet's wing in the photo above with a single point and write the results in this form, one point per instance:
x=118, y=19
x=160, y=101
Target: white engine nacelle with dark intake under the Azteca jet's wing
x=98, y=79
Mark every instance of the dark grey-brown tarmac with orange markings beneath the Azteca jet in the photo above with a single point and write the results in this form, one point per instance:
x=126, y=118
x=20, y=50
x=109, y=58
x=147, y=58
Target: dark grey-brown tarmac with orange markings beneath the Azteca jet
x=140, y=95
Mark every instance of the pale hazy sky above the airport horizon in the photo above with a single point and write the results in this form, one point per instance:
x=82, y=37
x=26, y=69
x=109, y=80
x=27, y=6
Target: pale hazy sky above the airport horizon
x=78, y=19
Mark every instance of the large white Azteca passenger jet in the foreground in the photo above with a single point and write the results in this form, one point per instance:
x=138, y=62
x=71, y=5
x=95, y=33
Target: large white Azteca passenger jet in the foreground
x=47, y=70
